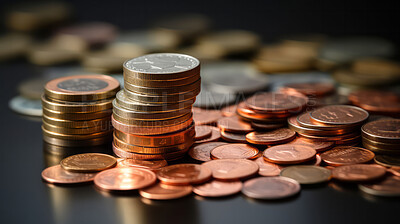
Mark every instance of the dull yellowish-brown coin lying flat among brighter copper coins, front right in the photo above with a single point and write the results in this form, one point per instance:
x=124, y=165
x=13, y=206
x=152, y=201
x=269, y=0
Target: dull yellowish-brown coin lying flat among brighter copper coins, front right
x=305, y=174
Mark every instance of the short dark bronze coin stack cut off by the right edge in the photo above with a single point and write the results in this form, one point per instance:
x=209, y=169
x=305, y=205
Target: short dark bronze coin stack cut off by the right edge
x=382, y=136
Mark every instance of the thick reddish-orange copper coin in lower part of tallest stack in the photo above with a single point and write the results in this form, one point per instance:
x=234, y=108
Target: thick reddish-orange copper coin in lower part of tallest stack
x=175, y=138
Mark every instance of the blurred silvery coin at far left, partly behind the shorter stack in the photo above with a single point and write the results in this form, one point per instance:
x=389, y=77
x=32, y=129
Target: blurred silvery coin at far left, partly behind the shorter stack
x=26, y=106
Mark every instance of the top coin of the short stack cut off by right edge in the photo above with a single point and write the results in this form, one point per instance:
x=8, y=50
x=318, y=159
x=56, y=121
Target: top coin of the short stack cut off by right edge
x=387, y=131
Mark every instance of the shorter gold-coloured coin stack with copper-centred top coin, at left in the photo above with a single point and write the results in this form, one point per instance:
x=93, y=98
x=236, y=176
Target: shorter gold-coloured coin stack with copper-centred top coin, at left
x=77, y=109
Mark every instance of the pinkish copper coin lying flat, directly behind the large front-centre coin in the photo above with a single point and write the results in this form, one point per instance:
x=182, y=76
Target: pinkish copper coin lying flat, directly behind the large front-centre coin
x=234, y=151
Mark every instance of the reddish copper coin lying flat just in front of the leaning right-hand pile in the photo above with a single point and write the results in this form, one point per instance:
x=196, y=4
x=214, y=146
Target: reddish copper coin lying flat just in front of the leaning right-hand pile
x=347, y=155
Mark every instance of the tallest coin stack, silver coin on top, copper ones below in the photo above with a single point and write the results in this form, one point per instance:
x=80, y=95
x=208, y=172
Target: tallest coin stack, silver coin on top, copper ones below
x=152, y=116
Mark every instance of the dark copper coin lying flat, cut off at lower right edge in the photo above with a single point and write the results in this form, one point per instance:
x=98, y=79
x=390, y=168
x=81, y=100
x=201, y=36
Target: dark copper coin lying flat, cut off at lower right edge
x=388, y=187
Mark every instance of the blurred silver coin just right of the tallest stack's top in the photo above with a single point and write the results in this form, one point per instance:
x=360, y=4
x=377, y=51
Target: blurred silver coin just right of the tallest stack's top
x=233, y=77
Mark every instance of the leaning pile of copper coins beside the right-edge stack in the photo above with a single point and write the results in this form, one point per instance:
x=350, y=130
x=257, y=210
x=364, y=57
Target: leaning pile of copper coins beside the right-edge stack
x=336, y=123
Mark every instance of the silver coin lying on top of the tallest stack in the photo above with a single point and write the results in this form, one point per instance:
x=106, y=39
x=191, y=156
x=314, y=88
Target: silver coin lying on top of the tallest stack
x=163, y=63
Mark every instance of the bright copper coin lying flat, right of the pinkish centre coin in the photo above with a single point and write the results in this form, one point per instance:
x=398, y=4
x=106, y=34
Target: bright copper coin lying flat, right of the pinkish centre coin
x=289, y=154
